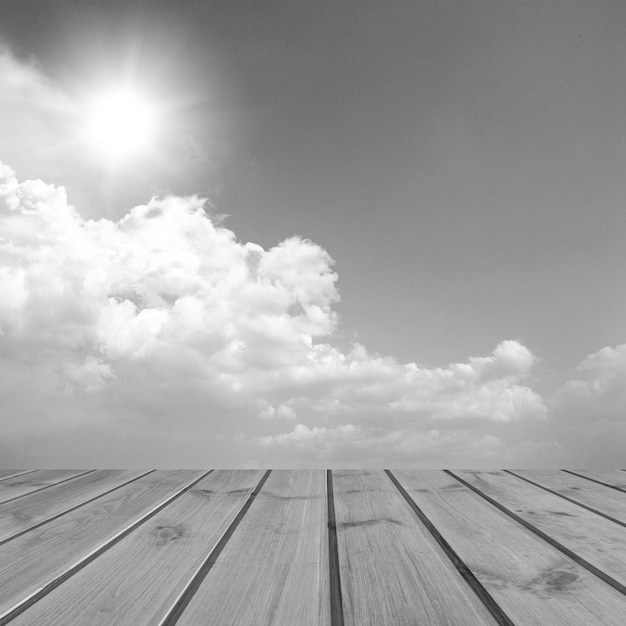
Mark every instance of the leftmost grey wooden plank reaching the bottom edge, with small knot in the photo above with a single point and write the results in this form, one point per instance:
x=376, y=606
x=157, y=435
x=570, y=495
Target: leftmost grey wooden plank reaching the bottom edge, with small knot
x=126, y=584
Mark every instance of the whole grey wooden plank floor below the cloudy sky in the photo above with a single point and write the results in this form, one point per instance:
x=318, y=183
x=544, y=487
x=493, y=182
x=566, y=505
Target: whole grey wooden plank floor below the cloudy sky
x=299, y=548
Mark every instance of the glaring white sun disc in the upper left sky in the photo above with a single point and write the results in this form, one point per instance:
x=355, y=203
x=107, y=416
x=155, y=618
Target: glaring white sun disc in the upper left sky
x=121, y=123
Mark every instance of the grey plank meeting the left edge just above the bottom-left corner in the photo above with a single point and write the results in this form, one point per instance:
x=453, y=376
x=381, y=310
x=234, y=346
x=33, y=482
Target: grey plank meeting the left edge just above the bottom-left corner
x=46, y=555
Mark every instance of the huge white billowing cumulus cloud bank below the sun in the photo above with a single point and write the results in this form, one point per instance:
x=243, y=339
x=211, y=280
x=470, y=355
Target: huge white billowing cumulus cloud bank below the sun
x=163, y=336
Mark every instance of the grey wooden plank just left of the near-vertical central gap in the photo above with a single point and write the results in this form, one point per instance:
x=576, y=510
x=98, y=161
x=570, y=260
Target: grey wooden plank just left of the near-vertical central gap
x=277, y=559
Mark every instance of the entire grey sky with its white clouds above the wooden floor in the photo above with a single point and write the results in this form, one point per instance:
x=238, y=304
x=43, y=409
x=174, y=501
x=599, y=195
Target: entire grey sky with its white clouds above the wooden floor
x=361, y=234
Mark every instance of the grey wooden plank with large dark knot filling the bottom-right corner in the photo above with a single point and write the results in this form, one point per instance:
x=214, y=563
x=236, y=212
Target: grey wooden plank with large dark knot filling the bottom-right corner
x=532, y=581
